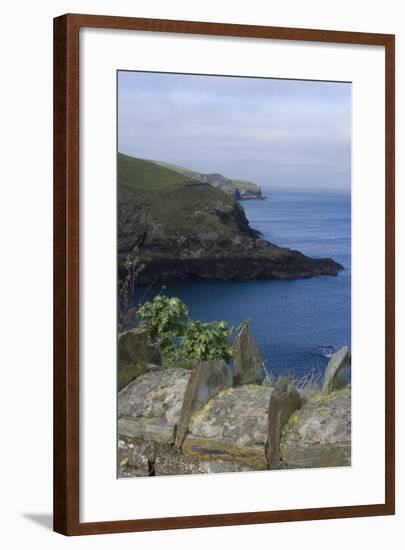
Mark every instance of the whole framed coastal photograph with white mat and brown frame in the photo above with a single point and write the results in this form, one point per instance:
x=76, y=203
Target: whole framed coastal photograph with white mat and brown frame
x=223, y=274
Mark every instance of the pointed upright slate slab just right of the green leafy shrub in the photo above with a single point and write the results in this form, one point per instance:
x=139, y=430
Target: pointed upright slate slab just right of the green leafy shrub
x=249, y=367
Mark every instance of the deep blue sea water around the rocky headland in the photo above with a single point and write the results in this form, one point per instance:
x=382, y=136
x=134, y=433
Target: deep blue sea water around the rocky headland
x=296, y=324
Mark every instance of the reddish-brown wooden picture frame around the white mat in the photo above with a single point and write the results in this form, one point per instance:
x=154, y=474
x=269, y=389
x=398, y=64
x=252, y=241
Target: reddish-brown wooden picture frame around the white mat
x=66, y=273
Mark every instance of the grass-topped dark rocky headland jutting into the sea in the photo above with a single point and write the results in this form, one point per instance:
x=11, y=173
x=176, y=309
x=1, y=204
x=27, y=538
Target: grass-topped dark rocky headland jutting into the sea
x=175, y=228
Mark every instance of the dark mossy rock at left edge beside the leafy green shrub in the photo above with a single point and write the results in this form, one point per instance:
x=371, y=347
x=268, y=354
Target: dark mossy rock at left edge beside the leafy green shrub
x=135, y=354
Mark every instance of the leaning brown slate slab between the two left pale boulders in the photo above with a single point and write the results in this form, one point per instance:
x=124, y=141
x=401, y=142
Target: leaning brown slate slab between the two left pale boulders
x=206, y=380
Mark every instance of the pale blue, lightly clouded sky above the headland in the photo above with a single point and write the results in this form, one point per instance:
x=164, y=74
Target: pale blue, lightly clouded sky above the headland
x=276, y=133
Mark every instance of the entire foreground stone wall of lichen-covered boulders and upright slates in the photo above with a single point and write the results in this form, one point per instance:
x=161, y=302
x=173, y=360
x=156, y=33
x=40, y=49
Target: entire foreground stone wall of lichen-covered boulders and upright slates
x=225, y=418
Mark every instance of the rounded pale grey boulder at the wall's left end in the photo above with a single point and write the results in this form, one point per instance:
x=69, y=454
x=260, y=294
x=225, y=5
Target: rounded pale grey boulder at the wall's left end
x=151, y=404
